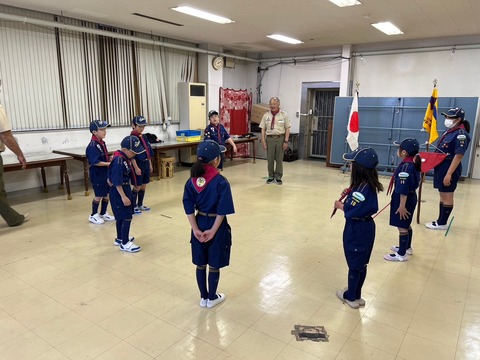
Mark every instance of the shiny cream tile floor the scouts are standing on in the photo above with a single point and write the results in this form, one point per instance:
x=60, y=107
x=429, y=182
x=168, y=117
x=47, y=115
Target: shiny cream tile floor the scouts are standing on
x=66, y=292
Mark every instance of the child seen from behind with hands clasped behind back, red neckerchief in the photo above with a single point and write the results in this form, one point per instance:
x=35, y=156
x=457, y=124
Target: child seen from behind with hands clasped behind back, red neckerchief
x=207, y=199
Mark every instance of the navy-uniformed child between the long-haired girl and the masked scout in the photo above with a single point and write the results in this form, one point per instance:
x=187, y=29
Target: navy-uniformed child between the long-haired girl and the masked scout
x=405, y=181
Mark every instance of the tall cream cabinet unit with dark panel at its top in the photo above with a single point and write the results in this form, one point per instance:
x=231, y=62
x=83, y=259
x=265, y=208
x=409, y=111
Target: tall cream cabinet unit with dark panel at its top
x=193, y=105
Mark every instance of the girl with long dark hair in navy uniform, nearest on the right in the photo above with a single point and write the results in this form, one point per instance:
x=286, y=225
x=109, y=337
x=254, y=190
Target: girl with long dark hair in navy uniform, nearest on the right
x=359, y=232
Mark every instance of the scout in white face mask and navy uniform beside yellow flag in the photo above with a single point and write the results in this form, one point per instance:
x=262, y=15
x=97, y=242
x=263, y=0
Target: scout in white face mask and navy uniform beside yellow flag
x=454, y=142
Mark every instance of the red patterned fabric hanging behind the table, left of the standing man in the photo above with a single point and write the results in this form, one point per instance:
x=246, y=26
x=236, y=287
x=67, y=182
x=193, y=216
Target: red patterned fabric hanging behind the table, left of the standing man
x=235, y=107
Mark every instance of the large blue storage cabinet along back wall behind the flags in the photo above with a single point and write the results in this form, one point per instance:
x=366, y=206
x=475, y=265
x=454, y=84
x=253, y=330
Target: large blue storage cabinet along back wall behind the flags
x=384, y=120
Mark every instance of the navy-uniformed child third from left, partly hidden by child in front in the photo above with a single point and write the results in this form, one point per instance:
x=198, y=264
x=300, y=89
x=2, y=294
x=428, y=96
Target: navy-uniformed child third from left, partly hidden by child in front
x=142, y=163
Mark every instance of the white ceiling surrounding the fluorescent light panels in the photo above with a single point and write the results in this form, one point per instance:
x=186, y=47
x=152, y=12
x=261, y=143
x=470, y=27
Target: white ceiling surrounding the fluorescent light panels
x=319, y=23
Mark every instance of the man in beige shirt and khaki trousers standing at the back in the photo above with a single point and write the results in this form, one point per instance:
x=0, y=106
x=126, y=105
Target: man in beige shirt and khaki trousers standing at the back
x=275, y=127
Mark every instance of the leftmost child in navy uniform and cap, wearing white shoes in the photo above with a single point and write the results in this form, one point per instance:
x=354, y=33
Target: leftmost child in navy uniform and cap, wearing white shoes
x=98, y=160
